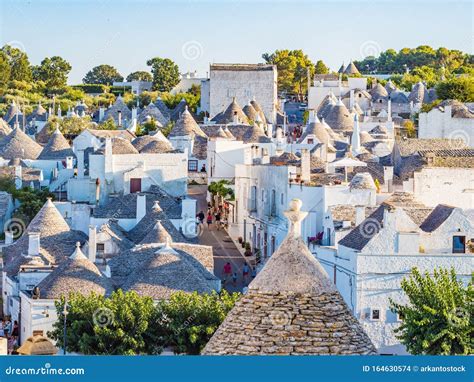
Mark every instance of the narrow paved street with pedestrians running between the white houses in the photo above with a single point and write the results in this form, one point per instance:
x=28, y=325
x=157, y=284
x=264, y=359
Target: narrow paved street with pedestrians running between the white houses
x=223, y=246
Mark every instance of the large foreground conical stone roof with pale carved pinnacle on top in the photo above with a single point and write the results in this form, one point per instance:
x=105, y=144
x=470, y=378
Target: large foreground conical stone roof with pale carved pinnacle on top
x=291, y=308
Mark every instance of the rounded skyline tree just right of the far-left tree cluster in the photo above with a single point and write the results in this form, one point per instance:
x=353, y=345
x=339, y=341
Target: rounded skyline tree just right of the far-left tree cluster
x=53, y=71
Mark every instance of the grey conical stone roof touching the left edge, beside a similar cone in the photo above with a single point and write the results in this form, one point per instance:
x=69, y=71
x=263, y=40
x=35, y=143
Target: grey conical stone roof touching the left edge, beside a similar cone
x=19, y=145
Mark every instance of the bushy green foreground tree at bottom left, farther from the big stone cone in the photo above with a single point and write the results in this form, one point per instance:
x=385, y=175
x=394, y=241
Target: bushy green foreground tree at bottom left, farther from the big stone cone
x=97, y=325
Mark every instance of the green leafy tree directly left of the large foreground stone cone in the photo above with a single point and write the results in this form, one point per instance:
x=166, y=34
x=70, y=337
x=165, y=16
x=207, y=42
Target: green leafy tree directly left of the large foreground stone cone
x=190, y=319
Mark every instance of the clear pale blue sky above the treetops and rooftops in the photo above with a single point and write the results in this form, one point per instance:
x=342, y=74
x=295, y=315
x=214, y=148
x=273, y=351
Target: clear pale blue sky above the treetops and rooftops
x=195, y=33
